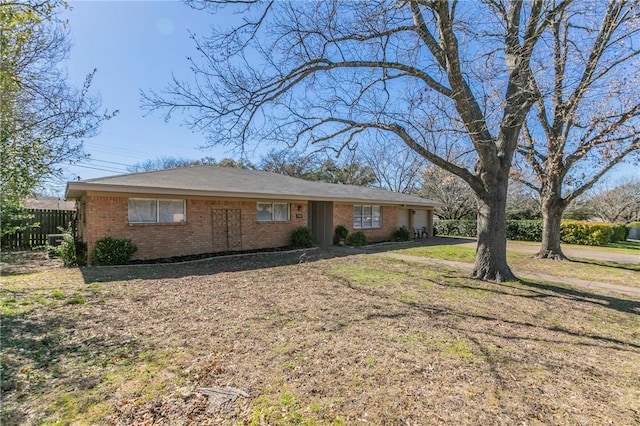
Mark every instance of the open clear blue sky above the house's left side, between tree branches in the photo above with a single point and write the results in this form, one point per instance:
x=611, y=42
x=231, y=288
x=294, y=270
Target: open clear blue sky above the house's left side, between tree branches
x=134, y=45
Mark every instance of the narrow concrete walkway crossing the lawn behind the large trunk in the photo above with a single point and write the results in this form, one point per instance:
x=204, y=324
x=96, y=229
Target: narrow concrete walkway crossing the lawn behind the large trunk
x=629, y=291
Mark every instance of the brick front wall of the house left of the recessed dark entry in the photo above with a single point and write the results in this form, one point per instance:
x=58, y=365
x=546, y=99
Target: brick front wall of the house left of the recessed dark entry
x=107, y=215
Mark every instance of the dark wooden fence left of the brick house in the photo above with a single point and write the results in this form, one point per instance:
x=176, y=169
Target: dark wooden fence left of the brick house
x=48, y=222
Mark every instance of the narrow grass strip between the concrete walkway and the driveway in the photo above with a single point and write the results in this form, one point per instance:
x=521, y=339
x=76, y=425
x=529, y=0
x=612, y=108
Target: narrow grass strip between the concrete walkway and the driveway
x=585, y=269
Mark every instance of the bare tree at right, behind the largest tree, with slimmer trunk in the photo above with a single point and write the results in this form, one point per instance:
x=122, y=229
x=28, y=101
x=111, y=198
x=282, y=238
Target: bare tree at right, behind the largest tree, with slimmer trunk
x=585, y=120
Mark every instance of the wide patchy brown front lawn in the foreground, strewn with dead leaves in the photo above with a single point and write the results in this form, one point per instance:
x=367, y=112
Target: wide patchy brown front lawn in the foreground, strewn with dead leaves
x=330, y=341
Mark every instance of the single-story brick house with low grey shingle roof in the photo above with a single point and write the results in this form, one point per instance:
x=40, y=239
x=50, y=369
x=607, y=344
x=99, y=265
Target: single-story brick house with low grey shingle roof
x=208, y=209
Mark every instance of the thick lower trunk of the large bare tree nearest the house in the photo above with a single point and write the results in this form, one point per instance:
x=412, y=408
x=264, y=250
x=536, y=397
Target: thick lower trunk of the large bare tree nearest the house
x=491, y=253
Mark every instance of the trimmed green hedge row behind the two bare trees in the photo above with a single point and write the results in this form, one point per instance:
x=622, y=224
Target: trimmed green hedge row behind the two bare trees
x=571, y=232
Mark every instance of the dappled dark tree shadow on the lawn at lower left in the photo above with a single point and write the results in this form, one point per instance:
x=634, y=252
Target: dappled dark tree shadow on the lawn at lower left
x=37, y=349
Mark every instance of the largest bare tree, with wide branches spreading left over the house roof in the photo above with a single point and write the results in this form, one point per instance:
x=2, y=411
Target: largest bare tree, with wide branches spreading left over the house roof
x=329, y=72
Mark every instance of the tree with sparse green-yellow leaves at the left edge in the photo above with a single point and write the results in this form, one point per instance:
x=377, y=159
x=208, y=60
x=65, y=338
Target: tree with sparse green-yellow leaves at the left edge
x=42, y=117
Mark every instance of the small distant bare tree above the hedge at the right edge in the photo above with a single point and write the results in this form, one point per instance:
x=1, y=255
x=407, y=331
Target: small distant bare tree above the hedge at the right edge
x=620, y=203
